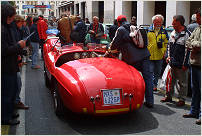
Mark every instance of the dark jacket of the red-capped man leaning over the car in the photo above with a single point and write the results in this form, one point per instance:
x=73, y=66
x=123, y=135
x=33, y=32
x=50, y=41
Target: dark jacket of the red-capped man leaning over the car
x=123, y=42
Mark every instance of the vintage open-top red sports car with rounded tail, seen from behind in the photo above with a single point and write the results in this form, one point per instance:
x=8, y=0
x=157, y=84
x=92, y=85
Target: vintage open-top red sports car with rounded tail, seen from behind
x=86, y=80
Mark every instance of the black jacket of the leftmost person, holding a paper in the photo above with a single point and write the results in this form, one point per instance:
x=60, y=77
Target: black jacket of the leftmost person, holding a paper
x=9, y=51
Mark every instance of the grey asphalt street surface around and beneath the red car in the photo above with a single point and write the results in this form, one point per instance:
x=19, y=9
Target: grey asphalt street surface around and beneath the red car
x=40, y=119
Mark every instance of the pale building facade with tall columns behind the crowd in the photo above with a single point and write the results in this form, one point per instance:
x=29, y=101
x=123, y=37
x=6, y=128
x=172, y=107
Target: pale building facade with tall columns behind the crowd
x=108, y=10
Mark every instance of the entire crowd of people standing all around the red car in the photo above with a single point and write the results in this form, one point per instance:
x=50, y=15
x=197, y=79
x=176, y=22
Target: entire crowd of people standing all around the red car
x=181, y=50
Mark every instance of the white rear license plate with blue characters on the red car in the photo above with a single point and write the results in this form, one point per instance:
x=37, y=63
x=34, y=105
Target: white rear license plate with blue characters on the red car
x=111, y=97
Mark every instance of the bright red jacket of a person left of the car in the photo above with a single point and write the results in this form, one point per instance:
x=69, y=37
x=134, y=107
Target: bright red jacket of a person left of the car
x=42, y=27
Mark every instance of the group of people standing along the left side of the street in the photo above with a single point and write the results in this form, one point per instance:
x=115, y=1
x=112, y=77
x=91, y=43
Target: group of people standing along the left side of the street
x=16, y=50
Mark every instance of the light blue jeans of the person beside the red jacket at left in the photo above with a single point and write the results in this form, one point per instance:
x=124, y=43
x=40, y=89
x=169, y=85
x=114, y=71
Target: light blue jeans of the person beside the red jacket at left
x=35, y=53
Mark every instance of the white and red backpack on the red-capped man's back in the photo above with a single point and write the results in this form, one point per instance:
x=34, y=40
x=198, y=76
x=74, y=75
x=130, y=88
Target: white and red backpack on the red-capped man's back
x=138, y=36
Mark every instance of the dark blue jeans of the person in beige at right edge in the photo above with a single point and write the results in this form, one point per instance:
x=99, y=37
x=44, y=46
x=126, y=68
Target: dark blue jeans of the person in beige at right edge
x=196, y=91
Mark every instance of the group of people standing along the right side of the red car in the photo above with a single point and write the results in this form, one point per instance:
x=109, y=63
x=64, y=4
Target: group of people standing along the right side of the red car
x=181, y=50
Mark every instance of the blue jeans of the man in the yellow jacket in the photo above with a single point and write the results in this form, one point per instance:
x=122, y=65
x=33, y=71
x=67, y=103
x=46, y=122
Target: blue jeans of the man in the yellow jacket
x=156, y=66
